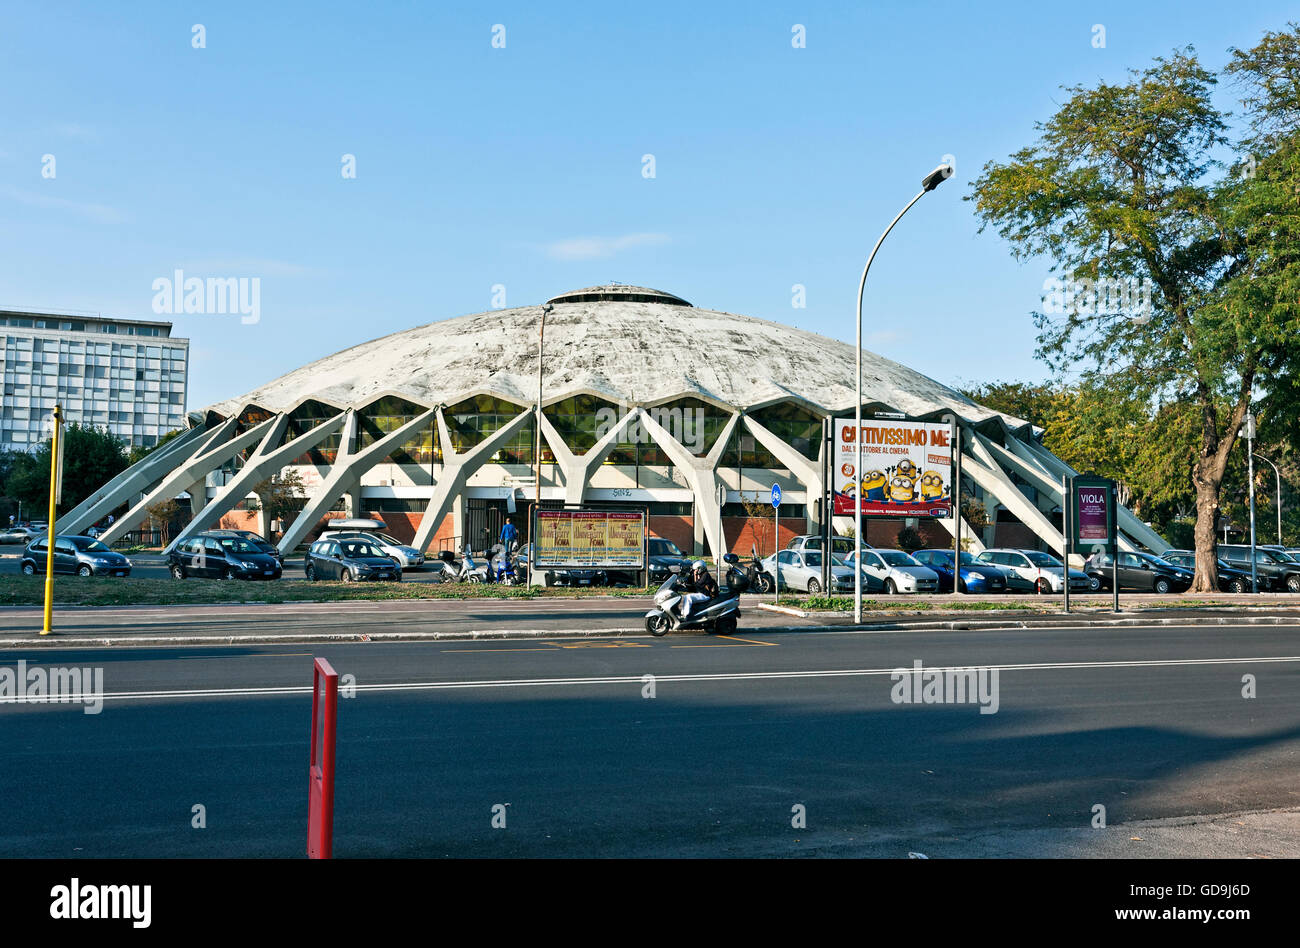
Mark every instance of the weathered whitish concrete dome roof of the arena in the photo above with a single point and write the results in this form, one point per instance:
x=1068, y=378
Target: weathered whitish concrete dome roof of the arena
x=623, y=350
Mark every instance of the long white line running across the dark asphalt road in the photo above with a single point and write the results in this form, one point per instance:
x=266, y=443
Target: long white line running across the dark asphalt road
x=638, y=679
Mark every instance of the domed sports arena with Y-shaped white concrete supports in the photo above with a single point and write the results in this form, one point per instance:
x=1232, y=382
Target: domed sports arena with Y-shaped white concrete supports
x=434, y=431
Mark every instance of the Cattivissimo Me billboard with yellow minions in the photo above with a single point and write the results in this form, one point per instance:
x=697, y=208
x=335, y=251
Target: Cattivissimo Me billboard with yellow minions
x=907, y=469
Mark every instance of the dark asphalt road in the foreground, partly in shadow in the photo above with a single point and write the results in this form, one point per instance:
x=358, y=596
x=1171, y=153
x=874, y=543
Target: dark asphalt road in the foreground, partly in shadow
x=1149, y=722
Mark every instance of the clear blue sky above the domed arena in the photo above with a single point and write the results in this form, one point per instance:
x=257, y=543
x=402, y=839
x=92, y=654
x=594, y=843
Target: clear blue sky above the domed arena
x=523, y=166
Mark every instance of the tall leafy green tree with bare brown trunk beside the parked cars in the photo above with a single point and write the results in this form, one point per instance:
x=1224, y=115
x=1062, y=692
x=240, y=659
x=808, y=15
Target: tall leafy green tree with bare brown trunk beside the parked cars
x=1125, y=188
